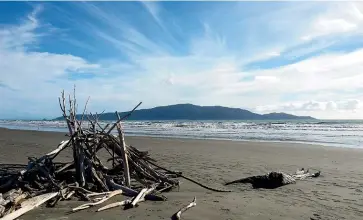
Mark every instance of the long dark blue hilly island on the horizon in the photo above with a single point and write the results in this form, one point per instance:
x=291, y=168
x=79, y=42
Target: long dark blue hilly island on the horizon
x=195, y=112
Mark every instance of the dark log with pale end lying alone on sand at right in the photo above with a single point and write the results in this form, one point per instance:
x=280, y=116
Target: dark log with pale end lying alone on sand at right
x=274, y=179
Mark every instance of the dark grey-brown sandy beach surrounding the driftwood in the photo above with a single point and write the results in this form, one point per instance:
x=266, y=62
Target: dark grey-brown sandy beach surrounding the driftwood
x=337, y=194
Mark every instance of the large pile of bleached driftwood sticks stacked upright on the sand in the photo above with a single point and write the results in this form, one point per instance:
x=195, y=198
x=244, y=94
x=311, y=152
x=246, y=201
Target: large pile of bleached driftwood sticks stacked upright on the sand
x=133, y=173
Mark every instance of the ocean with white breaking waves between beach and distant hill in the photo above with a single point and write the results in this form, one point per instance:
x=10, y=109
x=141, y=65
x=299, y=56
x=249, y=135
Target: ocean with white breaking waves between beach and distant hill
x=336, y=133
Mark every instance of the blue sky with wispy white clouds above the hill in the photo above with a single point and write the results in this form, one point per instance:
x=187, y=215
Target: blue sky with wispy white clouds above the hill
x=303, y=58
